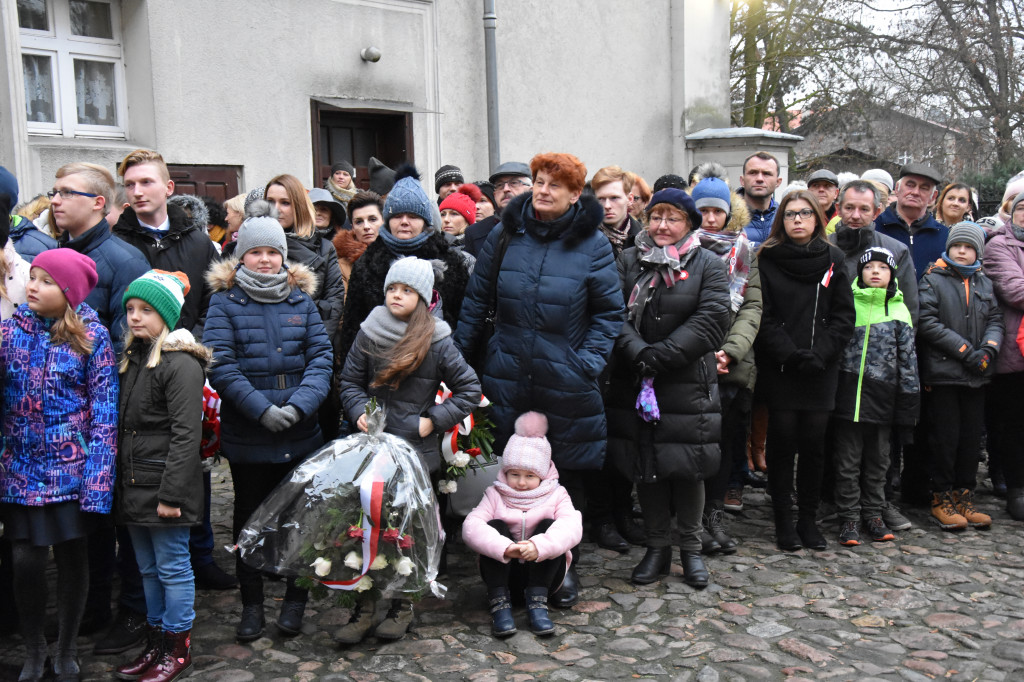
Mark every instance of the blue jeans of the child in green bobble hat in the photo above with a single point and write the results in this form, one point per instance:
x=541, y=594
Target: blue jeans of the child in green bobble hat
x=167, y=577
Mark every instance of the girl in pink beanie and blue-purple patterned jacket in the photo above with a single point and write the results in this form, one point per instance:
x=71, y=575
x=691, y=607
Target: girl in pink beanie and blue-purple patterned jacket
x=60, y=427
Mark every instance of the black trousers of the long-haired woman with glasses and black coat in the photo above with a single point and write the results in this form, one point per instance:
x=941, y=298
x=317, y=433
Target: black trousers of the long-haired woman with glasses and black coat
x=792, y=432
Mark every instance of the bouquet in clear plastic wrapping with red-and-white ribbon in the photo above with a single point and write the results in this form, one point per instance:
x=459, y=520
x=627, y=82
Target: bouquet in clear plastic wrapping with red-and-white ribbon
x=359, y=518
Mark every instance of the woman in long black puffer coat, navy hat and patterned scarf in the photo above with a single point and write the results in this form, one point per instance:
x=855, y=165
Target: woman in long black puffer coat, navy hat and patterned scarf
x=678, y=314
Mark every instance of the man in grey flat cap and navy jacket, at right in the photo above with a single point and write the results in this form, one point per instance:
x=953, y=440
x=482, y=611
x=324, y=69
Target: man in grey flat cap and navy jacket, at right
x=910, y=221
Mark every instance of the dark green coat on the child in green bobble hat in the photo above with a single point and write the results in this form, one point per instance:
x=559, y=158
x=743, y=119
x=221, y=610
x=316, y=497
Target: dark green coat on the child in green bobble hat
x=161, y=423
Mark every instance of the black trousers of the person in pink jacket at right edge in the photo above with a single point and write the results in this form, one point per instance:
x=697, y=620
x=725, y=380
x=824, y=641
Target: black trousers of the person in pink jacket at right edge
x=1006, y=427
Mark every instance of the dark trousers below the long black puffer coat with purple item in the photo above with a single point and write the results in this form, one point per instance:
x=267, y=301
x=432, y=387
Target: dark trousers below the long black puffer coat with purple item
x=658, y=501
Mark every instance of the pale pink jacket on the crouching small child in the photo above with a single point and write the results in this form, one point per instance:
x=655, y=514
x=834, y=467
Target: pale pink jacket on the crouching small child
x=563, y=536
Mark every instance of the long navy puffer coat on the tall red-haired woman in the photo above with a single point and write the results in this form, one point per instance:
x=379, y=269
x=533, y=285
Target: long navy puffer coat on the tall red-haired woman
x=560, y=311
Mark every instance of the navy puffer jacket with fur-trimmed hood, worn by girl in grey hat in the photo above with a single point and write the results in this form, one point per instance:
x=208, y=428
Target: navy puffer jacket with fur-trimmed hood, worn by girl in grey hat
x=264, y=355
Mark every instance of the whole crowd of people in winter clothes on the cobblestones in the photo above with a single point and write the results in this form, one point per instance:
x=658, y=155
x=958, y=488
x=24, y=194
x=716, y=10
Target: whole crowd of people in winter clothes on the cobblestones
x=855, y=338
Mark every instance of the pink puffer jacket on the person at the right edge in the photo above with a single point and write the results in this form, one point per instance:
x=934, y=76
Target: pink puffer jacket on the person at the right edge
x=1005, y=267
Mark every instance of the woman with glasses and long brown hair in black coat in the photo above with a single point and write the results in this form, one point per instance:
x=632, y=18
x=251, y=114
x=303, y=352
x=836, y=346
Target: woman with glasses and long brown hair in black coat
x=808, y=319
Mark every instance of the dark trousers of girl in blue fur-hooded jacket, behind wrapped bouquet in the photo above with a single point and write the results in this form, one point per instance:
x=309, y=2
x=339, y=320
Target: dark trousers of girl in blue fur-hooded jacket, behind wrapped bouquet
x=253, y=483
